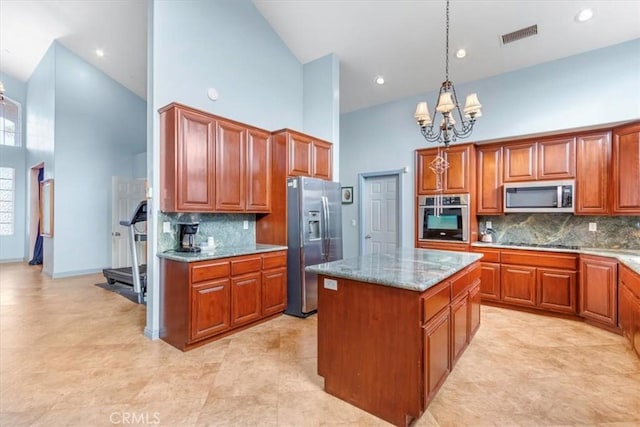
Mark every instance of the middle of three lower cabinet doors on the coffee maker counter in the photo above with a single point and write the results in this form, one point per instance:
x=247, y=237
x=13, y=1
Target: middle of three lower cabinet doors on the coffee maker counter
x=245, y=298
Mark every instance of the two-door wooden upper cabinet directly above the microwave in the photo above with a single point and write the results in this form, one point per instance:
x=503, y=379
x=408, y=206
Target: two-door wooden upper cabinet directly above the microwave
x=540, y=160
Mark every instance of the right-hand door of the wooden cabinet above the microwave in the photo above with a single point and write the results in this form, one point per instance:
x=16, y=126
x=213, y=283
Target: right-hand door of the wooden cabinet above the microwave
x=557, y=158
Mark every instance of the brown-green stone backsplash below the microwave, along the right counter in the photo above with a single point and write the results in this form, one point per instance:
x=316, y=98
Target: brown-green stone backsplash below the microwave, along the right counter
x=613, y=232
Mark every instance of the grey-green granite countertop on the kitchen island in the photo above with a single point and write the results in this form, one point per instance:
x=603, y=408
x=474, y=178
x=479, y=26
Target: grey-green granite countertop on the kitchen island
x=405, y=268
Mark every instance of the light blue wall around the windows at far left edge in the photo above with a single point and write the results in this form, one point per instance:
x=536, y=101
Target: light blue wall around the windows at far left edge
x=12, y=248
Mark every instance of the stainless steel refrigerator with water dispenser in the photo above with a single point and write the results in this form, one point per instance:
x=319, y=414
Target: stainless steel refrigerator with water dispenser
x=314, y=221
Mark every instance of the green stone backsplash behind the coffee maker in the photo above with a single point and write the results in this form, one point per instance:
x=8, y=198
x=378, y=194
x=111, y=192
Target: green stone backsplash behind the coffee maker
x=226, y=229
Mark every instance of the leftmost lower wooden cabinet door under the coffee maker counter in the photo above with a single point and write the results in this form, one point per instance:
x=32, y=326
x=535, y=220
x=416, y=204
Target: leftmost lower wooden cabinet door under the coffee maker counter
x=210, y=313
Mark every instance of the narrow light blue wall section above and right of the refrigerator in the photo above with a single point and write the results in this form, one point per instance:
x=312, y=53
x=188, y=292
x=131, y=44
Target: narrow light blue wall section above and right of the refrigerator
x=321, y=104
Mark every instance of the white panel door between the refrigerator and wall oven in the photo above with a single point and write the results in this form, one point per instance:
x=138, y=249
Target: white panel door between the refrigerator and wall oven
x=381, y=216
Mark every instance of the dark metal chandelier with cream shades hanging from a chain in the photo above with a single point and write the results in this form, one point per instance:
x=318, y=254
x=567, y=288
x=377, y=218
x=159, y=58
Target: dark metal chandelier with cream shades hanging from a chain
x=449, y=107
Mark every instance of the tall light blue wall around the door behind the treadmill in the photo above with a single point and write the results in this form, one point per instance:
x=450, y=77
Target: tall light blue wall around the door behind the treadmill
x=100, y=126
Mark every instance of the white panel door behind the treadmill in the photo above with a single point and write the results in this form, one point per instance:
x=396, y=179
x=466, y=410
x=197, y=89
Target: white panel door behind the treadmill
x=127, y=193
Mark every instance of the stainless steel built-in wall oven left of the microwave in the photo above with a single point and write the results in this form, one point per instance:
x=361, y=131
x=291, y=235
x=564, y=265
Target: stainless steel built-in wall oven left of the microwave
x=450, y=223
